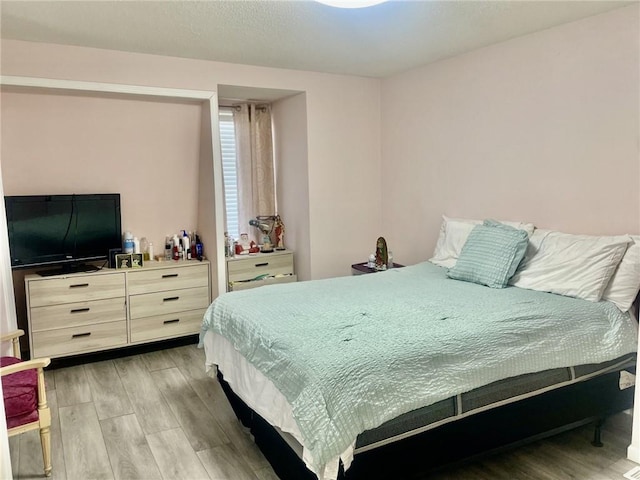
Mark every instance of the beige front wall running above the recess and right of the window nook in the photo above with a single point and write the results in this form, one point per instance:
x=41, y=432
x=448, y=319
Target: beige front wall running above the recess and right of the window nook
x=342, y=203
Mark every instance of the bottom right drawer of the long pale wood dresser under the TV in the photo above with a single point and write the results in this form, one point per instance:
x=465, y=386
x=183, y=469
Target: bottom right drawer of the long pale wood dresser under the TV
x=166, y=326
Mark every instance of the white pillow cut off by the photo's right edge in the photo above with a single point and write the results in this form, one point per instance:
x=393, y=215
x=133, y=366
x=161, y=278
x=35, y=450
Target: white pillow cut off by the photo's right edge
x=625, y=282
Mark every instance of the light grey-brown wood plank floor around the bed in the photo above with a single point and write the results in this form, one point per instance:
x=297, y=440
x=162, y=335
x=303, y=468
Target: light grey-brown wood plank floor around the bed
x=158, y=416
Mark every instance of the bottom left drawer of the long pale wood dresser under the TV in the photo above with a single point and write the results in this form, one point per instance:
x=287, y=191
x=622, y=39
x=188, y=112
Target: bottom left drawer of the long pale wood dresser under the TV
x=66, y=341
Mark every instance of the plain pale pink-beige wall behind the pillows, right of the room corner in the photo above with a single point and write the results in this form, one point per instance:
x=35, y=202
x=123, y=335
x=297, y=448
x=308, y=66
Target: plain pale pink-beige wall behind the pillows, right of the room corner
x=542, y=128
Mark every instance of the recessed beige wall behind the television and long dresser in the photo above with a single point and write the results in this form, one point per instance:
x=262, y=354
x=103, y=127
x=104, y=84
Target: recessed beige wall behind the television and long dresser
x=146, y=151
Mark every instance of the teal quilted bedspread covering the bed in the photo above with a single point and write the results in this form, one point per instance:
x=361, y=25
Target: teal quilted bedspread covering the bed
x=350, y=353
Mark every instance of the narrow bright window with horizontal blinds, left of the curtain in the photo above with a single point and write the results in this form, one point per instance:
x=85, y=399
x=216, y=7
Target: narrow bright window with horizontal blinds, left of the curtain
x=229, y=170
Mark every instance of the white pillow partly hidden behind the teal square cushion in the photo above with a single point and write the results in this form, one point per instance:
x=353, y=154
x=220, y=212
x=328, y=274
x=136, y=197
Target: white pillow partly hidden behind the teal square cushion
x=453, y=235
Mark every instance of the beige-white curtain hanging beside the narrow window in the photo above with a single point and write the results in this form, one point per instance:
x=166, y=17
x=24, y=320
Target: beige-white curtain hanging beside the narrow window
x=254, y=150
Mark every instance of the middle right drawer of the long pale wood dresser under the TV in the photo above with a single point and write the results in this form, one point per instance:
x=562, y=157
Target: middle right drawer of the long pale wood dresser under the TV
x=173, y=301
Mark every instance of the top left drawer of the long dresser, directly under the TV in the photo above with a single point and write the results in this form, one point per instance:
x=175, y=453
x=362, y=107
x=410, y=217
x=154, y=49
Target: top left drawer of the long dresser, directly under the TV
x=76, y=288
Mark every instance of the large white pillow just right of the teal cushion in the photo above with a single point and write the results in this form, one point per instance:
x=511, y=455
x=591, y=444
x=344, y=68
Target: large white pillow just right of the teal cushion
x=572, y=265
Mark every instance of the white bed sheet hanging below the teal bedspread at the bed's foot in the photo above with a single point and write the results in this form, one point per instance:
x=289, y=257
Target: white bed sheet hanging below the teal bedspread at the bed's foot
x=261, y=395
